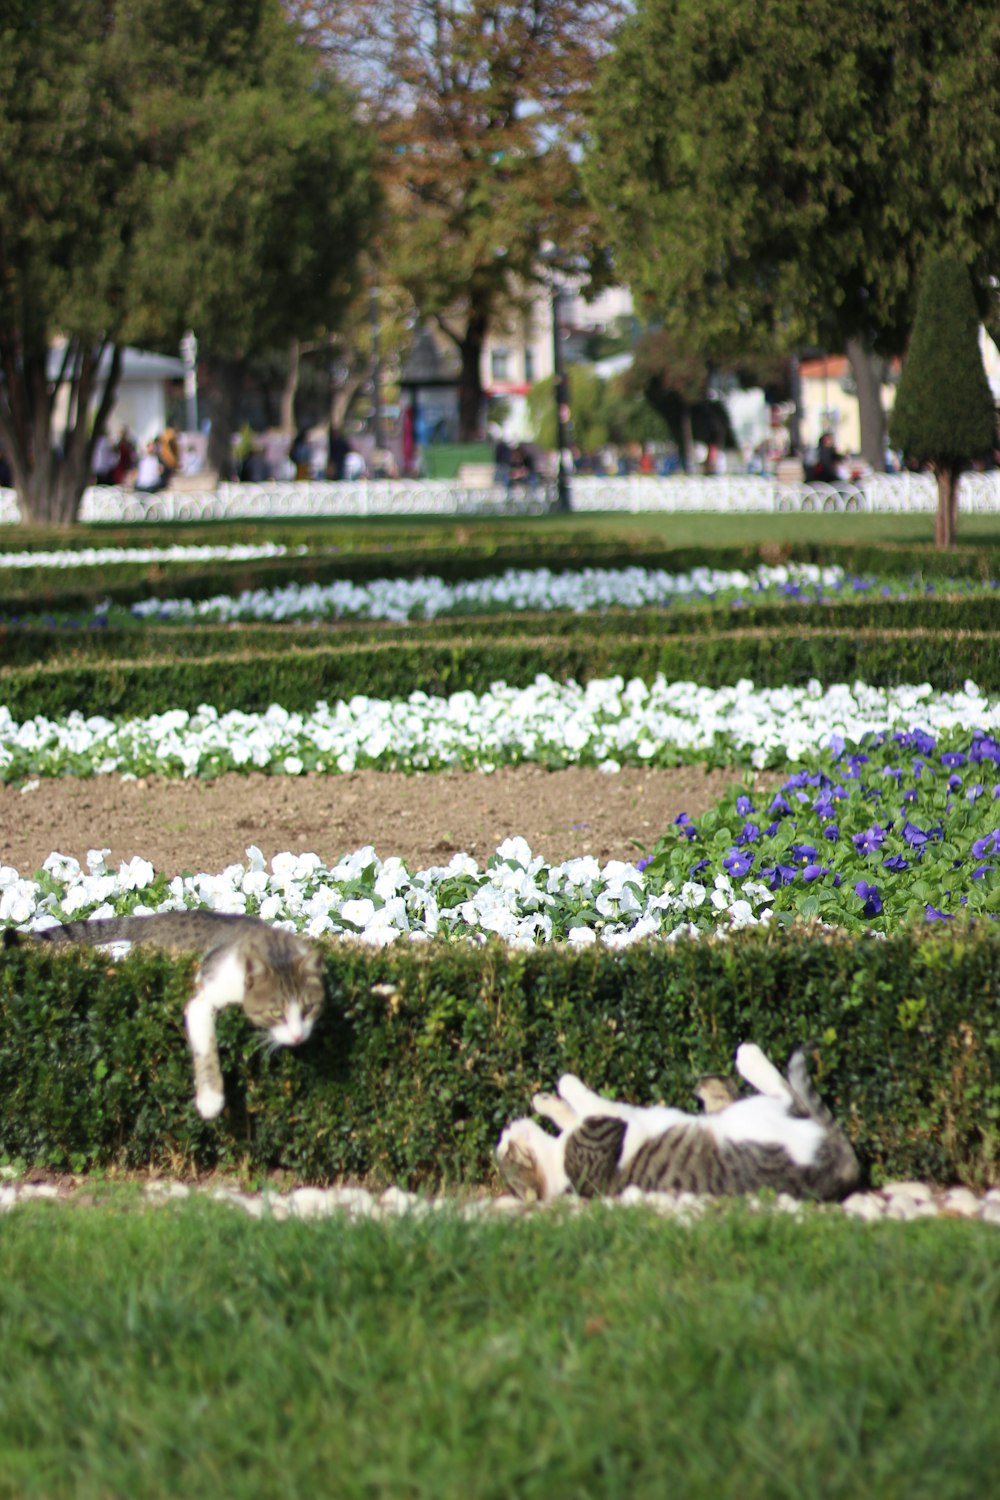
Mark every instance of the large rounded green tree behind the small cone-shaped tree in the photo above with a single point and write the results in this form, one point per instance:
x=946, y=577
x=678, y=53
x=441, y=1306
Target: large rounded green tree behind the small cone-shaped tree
x=774, y=178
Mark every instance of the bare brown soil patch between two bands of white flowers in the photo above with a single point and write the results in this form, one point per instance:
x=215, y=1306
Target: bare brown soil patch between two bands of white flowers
x=427, y=818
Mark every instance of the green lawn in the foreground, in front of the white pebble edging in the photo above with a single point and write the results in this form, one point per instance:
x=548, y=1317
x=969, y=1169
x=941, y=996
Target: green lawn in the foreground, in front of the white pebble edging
x=193, y=1352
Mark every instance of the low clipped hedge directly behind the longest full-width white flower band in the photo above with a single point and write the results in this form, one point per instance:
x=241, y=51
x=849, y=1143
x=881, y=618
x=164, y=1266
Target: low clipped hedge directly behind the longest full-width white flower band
x=394, y=668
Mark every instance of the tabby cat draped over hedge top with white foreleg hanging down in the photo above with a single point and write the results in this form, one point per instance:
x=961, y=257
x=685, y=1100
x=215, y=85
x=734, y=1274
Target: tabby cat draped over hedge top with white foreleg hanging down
x=275, y=976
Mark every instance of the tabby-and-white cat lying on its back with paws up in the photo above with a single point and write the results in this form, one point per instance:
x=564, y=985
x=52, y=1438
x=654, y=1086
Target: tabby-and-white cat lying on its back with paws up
x=782, y=1138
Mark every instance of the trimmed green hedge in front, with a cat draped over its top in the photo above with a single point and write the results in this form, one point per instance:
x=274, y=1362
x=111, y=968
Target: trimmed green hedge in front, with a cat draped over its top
x=425, y=1054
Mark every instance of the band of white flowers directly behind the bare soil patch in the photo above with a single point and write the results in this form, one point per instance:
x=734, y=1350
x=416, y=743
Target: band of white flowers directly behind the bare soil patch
x=606, y=722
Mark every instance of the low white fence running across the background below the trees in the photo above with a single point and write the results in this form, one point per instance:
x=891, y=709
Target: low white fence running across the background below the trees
x=639, y=493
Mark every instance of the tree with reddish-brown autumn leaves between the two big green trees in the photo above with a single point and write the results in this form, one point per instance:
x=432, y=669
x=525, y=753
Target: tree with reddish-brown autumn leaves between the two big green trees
x=479, y=109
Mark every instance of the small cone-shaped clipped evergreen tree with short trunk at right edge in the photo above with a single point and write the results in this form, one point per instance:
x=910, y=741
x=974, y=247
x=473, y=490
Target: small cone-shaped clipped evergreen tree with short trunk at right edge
x=944, y=412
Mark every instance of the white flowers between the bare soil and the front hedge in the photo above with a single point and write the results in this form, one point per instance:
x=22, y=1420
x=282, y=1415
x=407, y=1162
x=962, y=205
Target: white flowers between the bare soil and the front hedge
x=518, y=898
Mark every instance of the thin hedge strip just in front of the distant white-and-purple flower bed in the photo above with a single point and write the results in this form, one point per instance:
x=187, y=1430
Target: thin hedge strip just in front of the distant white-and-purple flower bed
x=31, y=646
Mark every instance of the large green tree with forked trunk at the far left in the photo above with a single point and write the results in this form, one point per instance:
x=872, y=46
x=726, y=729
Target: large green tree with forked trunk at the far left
x=163, y=164
